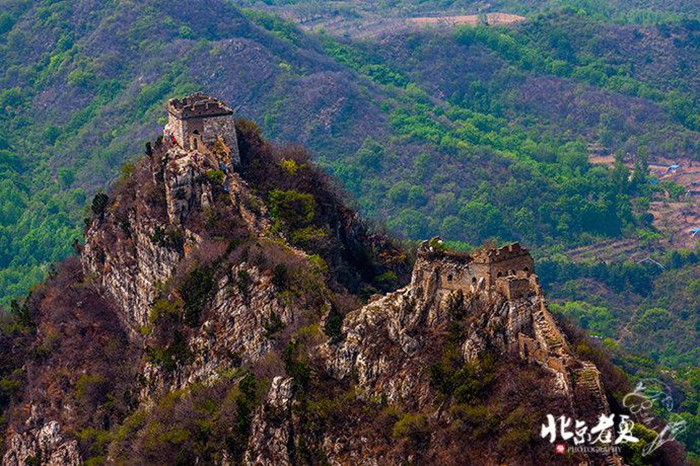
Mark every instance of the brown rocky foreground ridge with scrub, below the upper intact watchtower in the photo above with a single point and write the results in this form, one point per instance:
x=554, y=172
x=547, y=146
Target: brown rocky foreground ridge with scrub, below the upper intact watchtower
x=244, y=347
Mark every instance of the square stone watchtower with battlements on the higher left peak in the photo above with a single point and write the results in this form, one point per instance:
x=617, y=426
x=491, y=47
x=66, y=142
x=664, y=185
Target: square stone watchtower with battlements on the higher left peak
x=196, y=122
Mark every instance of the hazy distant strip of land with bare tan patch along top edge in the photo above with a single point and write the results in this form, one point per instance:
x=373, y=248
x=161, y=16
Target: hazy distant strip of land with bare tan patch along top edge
x=366, y=18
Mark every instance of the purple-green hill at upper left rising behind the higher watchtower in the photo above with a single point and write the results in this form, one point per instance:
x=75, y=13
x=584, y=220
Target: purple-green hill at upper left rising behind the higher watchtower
x=83, y=84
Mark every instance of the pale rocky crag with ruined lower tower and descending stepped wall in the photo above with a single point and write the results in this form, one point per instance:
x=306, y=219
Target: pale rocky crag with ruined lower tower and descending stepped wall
x=385, y=342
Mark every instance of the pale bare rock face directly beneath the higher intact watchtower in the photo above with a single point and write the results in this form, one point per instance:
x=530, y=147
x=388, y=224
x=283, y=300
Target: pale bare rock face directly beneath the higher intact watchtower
x=131, y=253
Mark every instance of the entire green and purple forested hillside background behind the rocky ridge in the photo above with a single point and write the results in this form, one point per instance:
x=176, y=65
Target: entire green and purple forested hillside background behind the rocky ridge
x=472, y=133
